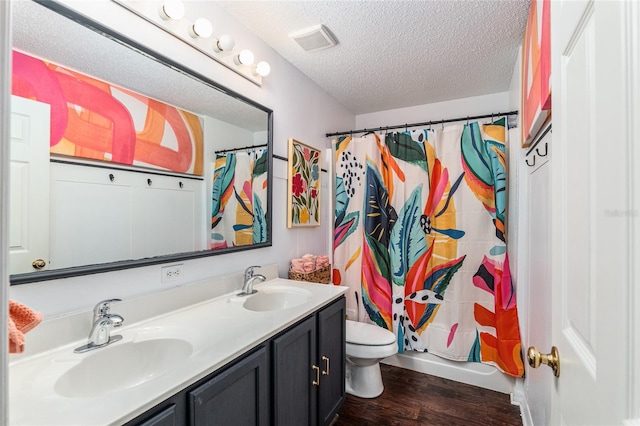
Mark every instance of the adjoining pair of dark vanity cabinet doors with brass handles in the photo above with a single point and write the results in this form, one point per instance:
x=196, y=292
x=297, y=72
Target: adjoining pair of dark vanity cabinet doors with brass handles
x=308, y=369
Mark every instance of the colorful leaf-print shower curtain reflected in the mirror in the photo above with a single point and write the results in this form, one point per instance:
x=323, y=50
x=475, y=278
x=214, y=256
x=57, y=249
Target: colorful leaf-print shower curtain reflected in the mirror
x=239, y=199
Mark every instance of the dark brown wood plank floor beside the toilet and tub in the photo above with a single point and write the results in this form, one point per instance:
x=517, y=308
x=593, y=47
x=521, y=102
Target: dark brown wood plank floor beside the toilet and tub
x=411, y=398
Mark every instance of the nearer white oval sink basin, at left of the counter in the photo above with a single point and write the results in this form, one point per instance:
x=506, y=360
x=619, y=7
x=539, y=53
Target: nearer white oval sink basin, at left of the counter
x=122, y=365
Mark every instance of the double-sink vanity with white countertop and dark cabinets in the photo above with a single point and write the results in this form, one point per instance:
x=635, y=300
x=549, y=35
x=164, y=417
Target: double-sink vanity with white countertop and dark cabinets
x=272, y=357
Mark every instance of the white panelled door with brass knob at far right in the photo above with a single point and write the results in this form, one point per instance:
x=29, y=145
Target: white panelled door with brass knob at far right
x=591, y=213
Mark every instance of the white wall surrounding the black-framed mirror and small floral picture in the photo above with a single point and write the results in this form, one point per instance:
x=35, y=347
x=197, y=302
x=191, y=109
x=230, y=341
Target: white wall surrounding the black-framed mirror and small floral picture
x=301, y=110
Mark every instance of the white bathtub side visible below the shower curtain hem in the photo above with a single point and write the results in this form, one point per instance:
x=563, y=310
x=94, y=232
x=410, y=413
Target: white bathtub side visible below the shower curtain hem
x=472, y=373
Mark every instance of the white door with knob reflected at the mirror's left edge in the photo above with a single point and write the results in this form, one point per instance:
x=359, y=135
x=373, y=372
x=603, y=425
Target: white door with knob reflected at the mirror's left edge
x=29, y=185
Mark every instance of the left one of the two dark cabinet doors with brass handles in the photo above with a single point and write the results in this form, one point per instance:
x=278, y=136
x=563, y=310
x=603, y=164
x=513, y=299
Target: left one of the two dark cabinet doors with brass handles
x=294, y=359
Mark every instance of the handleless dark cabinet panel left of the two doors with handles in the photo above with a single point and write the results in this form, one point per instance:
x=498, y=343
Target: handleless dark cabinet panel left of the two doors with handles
x=237, y=396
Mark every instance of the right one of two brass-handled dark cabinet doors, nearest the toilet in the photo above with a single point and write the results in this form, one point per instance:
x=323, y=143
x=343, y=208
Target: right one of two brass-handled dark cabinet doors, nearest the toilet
x=331, y=352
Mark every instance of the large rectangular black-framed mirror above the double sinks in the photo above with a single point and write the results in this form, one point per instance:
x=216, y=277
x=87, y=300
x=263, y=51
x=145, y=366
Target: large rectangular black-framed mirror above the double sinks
x=121, y=157
